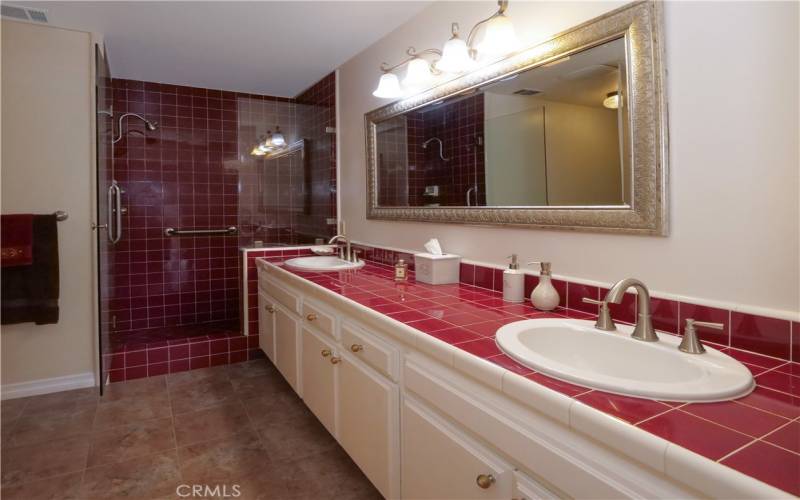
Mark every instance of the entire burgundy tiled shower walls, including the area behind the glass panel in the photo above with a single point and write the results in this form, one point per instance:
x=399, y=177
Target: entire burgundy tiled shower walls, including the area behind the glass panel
x=188, y=174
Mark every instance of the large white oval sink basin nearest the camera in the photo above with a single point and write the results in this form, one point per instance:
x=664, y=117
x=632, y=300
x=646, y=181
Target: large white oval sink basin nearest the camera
x=576, y=352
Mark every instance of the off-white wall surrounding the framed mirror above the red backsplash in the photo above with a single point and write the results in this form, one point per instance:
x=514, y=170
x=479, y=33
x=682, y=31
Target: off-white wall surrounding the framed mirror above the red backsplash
x=732, y=90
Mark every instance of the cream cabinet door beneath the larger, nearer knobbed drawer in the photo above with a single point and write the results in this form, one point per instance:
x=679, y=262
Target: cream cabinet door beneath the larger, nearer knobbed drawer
x=369, y=423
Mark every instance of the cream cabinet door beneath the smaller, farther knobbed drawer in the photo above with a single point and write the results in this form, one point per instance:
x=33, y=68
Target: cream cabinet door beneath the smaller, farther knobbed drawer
x=319, y=378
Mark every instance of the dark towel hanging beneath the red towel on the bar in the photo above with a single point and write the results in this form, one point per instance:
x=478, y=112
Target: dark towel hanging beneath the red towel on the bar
x=30, y=293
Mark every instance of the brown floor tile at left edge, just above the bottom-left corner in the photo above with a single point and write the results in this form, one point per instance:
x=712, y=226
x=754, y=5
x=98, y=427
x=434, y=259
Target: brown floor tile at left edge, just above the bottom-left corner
x=22, y=464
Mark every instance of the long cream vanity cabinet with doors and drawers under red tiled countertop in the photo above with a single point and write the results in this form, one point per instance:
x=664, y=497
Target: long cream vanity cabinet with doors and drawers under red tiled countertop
x=424, y=420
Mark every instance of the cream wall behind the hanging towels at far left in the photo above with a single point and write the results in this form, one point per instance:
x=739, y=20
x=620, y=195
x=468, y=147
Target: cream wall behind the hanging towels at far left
x=47, y=165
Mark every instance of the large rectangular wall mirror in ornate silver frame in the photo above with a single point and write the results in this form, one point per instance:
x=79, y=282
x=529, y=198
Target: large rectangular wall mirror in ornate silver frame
x=569, y=134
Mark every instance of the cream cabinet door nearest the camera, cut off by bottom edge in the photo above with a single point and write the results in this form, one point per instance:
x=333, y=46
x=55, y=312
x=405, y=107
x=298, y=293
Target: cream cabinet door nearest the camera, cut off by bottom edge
x=440, y=462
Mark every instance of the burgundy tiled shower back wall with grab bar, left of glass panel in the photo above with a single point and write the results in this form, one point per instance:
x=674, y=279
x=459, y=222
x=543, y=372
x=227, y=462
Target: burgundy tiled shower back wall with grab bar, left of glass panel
x=176, y=176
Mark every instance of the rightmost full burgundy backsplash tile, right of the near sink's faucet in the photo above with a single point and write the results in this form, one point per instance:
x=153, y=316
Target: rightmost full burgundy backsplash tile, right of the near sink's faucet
x=761, y=334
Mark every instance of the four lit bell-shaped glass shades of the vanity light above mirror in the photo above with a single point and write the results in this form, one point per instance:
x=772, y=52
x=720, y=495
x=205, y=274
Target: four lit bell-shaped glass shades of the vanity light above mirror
x=457, y=55
